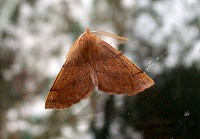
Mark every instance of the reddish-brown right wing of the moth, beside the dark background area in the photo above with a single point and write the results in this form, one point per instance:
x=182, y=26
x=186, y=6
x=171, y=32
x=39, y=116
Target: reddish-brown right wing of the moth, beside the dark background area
x=116, y=74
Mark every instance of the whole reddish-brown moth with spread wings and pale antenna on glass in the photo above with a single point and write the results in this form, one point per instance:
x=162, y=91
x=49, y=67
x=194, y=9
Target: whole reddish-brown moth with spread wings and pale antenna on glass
x=90, y=63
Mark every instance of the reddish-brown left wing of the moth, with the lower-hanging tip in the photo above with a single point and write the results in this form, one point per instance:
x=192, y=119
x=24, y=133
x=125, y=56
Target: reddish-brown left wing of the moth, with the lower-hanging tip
x=71, y=85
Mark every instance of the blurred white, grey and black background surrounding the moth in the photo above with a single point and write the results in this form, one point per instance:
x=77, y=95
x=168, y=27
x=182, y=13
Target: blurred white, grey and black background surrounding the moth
x=164, y=41
